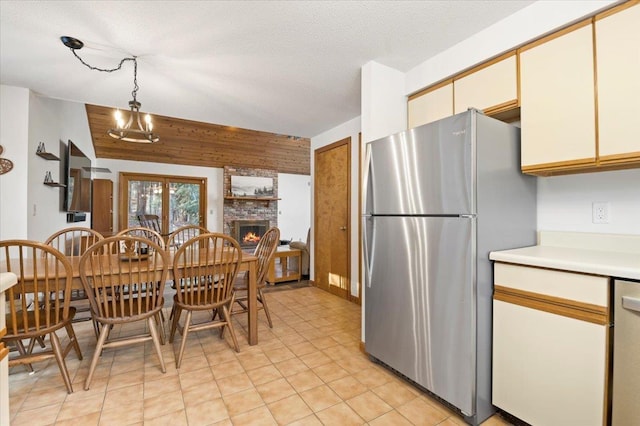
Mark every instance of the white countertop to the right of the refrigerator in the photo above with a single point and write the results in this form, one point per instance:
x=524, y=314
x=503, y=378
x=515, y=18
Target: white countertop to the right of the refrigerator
x=585, y=258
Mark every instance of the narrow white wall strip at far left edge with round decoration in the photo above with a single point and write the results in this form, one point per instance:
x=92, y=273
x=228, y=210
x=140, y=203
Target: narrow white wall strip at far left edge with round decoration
x=14, y=138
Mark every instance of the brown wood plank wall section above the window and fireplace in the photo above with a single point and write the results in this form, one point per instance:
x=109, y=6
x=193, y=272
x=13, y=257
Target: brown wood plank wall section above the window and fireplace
x=202, y=144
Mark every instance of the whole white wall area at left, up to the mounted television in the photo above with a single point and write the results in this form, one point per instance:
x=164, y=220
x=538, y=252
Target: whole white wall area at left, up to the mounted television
x=29, y=209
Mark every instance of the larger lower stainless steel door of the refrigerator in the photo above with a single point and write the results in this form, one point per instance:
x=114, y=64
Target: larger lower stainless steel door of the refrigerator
x=419, y=310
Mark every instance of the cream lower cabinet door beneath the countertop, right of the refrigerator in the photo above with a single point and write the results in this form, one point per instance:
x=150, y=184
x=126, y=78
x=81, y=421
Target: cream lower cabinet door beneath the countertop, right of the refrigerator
x=548, y=369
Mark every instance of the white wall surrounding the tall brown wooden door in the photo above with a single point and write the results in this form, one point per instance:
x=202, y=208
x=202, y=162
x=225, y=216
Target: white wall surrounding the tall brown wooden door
x=349, y=129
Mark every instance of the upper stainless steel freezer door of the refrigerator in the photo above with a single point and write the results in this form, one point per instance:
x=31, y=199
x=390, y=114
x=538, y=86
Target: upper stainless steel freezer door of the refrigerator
x=427, y=170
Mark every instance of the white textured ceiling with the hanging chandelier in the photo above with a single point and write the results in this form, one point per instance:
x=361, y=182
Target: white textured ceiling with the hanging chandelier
x=285, y=67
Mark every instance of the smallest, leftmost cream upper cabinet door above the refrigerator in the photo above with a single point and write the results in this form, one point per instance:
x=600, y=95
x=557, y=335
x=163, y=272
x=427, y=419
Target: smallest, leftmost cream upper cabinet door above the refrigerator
x=430, y=106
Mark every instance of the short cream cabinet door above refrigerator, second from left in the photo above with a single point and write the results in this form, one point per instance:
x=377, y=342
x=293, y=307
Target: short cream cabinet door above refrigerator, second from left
x=491, y=89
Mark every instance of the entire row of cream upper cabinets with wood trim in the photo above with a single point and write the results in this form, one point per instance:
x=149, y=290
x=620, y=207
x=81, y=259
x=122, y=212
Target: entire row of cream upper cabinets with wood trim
x=578, y=93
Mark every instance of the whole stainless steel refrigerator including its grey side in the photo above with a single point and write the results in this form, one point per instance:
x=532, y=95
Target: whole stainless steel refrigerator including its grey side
x=438, y=199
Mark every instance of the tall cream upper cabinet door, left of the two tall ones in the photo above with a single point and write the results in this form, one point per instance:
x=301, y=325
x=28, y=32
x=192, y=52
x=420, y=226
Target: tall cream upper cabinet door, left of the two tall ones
x=558, y=102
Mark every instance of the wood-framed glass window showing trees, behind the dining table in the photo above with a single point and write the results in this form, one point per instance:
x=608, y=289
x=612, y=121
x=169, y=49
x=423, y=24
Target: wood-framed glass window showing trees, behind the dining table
x=176, y=200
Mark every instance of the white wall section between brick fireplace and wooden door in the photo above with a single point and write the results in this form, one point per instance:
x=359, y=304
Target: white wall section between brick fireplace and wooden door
x=294, y=207
